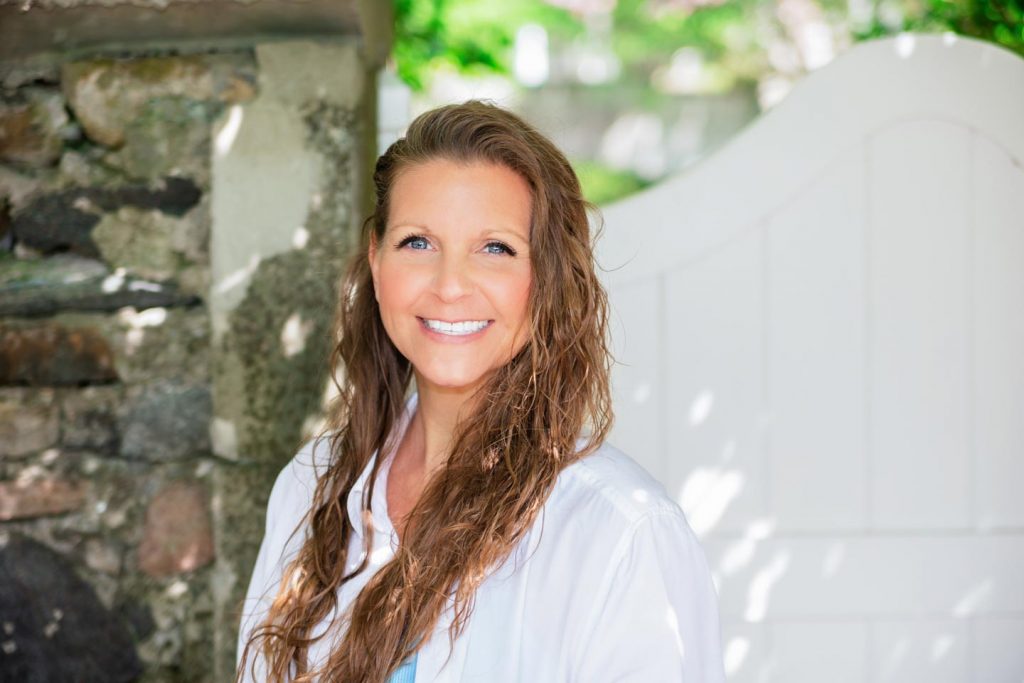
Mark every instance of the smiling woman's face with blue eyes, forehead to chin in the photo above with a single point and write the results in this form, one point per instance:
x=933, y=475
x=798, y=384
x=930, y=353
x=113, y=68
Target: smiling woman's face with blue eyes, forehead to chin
x=452, y=274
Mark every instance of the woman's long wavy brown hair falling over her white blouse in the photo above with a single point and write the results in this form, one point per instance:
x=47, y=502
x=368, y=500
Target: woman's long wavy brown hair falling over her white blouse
x=506, y=456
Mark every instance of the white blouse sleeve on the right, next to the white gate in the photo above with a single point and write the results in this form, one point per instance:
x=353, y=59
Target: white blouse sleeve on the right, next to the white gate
x=656, y=618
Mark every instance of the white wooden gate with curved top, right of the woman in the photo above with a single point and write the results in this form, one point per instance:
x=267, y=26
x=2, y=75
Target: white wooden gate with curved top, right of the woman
x=822, y=331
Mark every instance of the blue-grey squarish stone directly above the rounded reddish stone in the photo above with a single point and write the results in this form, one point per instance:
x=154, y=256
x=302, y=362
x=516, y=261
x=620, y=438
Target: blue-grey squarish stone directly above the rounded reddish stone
x=168, y=421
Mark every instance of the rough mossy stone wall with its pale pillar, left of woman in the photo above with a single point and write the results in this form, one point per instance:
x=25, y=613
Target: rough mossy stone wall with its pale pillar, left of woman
x=172, y=233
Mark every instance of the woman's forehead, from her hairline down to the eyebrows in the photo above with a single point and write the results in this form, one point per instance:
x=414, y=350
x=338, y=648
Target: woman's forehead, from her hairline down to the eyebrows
x=442, y=192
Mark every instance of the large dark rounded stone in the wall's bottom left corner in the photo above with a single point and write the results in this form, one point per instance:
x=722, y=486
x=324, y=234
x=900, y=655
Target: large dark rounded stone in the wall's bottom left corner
x=55, y=628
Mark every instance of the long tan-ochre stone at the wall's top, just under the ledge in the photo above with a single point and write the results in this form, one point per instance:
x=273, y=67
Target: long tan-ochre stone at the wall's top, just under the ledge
x=109, y=96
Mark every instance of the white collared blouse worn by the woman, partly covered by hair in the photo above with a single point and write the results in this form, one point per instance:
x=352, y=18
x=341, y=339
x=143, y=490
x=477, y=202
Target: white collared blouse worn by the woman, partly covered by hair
x=610, y=584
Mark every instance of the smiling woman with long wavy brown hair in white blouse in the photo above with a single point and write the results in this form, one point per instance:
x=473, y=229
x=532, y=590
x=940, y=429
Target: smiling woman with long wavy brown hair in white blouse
x=479, y=530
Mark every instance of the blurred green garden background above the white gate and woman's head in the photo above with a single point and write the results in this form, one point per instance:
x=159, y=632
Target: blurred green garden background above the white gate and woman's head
x=634, y=91
